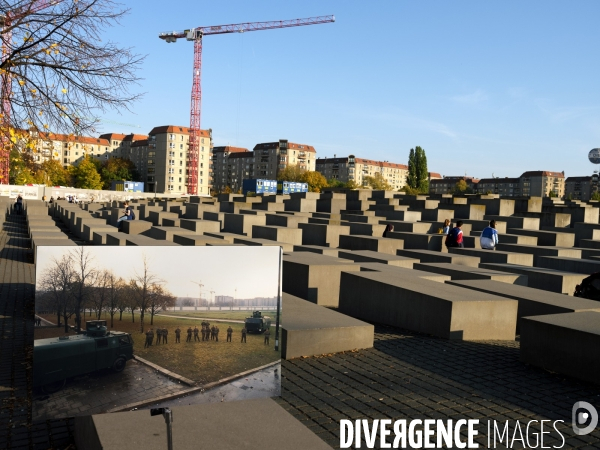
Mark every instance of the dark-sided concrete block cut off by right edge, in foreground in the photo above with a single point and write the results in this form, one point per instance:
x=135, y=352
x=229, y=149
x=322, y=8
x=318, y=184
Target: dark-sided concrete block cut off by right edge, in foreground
x=568, y=344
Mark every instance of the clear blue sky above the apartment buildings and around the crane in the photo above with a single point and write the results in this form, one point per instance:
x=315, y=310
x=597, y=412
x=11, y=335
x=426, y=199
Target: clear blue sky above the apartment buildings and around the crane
x=483, y=87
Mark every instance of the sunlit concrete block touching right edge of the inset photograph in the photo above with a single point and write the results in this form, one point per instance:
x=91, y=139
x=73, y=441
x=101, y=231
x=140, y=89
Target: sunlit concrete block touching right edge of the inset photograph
x=311, y=329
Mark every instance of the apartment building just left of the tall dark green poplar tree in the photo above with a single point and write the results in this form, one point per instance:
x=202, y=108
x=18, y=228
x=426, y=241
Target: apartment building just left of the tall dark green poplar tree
x=355, y=169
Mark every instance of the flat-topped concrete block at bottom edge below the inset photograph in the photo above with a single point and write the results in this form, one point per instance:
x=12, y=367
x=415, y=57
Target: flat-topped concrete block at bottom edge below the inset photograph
x=245, y=421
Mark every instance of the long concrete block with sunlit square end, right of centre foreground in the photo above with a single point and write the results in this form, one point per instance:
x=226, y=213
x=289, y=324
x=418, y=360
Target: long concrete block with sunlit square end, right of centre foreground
x=427, y=307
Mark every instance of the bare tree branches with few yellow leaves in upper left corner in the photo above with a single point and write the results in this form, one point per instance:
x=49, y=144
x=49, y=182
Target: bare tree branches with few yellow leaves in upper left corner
x=57, y=72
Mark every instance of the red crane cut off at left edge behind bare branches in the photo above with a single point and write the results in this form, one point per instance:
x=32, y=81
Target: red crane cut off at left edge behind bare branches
x=5, y=107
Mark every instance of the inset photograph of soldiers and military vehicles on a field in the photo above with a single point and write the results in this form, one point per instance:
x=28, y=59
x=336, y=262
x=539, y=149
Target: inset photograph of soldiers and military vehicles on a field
x=126, y=327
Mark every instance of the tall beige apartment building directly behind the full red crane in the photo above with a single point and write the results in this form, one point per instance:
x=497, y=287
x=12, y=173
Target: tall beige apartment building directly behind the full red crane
x=167, y=164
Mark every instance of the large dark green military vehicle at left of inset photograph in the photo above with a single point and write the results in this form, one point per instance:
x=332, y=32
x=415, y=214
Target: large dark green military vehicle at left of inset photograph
x=56, y=359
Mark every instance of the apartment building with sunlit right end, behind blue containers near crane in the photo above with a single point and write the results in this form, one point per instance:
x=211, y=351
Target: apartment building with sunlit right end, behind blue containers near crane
x=234, y=164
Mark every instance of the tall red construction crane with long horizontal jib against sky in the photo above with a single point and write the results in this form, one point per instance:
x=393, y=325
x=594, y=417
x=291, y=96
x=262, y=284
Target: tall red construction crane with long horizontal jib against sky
x=195, y=34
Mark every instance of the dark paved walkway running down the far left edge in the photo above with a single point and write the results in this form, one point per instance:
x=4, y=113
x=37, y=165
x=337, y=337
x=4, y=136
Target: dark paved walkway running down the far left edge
x=16, y=347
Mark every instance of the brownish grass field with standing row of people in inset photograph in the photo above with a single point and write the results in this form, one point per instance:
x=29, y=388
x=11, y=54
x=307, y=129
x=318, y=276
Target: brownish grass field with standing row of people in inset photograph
x=203, y=362
